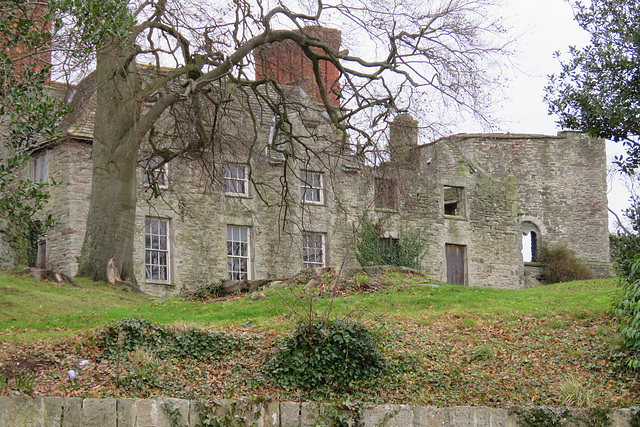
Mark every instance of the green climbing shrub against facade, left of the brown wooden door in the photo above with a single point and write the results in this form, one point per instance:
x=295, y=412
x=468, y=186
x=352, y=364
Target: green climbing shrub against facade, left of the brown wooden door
x=373, y=249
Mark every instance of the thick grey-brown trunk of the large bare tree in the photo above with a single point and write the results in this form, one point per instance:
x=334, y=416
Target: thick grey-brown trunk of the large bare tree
x=111, y=220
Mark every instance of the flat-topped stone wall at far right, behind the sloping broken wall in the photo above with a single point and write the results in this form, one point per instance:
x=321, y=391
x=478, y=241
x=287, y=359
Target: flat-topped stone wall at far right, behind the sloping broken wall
x=561, y=185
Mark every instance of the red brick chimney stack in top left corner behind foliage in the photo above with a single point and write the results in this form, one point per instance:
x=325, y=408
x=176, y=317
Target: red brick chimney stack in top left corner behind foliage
x=25, y=58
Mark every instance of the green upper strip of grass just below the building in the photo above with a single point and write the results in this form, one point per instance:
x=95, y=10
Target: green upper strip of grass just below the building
x=32, y=309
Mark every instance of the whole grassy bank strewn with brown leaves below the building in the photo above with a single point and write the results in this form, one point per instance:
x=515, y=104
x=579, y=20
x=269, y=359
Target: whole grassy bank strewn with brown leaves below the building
x=446, y=345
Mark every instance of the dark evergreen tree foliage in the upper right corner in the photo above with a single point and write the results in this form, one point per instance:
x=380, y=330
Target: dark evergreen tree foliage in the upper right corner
x=598, y=89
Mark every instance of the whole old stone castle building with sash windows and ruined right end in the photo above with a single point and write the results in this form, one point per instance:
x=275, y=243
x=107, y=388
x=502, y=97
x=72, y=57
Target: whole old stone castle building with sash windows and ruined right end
x=258, y=207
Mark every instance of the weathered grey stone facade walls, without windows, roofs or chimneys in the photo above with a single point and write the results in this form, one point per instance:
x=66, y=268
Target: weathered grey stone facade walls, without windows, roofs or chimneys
x=556, y=183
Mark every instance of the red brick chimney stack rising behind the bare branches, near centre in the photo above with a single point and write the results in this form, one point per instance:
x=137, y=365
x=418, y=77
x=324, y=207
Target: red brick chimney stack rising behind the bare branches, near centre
x=285, y=62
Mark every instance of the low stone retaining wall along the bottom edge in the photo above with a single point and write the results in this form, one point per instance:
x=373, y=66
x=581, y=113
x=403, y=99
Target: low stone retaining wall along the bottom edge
x=18, y=411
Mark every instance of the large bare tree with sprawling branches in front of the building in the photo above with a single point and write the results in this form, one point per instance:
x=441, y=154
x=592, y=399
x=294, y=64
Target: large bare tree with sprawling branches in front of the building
x=204, y=59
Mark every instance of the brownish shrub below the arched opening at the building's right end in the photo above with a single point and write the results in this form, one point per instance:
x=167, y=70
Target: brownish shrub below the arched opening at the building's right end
x=562, y=266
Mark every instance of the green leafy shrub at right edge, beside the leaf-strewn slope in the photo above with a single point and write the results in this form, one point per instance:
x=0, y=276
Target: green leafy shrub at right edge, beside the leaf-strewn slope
x=628, y=312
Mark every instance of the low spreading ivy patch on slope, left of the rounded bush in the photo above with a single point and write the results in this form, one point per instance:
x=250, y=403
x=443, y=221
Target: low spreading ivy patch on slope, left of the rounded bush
x=131, y=334
